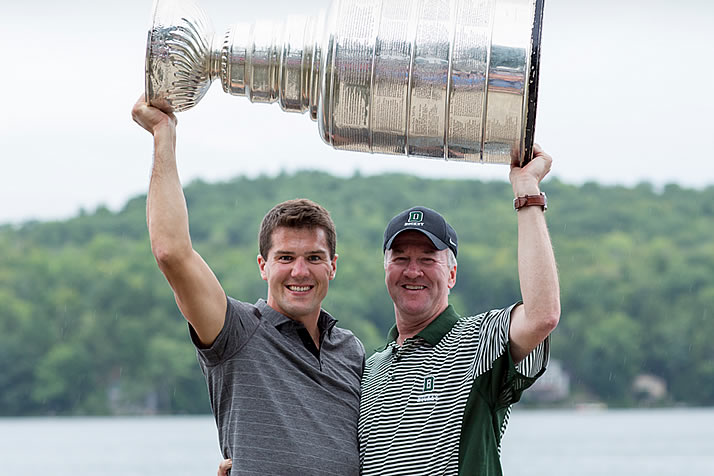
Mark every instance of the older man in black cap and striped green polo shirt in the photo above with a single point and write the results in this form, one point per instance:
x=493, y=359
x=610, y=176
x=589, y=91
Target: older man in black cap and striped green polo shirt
x=436, y=398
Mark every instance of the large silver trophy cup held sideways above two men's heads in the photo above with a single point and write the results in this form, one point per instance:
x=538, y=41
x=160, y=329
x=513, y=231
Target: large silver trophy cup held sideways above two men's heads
x=451, y=79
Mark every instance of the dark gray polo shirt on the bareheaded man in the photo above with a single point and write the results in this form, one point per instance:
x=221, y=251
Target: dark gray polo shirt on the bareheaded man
x=280, y=407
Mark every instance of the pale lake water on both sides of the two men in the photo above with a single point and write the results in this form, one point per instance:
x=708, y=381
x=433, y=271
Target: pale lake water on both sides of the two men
x=538, y=442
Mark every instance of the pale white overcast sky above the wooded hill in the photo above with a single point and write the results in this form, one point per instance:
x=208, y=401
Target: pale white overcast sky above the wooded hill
x=625, y=96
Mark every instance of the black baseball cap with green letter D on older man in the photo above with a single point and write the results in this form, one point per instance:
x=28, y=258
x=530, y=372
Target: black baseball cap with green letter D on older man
x=425, y=220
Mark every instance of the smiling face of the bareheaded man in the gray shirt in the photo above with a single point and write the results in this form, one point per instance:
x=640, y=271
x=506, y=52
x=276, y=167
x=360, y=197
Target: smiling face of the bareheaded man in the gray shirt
x=298, y=270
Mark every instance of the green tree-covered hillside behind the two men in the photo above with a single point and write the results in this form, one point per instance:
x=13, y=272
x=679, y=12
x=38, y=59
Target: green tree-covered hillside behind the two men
x=88, y=325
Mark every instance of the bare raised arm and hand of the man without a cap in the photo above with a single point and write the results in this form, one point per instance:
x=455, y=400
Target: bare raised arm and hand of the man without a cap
x=198, y=293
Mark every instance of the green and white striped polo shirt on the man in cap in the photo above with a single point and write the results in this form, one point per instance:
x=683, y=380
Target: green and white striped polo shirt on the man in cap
x=439, y=404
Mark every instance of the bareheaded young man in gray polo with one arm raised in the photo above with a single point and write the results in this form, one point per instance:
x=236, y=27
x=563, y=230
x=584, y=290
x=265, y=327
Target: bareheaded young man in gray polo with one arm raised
x=283, y=380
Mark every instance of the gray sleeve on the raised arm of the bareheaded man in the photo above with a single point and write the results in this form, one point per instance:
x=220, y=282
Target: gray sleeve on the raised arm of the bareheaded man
x=241, y=322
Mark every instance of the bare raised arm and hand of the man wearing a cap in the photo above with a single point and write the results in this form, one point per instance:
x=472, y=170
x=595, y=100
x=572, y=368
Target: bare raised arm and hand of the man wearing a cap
x=533, y=321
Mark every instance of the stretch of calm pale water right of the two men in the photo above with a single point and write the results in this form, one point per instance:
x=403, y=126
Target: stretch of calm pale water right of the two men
x=668, y=442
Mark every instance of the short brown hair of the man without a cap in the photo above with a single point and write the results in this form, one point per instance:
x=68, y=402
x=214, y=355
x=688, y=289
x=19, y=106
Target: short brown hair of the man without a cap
x=298, y=213
